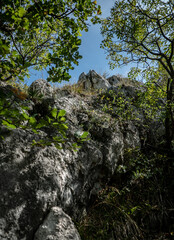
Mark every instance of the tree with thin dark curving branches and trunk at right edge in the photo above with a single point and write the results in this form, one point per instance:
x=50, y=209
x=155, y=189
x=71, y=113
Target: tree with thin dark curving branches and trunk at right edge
x=142, y=31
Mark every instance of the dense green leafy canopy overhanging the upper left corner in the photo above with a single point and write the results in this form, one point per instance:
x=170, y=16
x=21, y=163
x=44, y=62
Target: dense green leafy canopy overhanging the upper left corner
x=42, y=34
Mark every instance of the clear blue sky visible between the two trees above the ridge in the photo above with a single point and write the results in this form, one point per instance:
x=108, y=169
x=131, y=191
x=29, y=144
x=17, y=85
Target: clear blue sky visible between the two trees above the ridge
x=93, y=56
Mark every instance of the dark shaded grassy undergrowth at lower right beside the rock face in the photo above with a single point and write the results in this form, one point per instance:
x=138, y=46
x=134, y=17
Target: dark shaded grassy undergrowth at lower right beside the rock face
x=138, y=202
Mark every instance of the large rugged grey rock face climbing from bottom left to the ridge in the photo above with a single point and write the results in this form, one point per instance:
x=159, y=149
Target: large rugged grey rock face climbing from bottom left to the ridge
x=42, y=188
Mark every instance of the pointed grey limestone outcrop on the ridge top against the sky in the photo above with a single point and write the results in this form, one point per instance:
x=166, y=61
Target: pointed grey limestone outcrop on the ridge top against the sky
x=93, y=80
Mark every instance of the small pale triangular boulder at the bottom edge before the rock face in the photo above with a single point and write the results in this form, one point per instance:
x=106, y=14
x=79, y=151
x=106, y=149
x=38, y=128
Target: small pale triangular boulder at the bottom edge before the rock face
x=57, y=226
